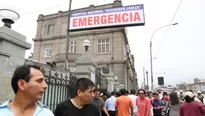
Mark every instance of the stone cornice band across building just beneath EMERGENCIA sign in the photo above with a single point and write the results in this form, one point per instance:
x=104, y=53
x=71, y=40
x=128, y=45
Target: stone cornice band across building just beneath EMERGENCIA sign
x=78, y=34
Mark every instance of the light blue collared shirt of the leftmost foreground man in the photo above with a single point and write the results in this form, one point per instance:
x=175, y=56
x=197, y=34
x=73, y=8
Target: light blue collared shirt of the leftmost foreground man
x=41, y=110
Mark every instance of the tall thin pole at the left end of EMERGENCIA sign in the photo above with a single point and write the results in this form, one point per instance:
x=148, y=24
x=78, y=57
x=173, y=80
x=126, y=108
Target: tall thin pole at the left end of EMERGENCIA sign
x=67, y=36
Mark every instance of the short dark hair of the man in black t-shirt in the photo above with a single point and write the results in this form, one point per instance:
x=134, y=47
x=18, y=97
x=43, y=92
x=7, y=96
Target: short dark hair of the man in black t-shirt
x=83, y=84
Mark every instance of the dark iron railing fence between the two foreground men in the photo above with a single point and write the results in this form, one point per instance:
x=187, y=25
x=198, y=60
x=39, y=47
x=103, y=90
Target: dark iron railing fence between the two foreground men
x=60, y=88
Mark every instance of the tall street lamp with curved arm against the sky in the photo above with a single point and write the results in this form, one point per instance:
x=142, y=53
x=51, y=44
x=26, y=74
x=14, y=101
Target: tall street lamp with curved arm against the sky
x=151, y=50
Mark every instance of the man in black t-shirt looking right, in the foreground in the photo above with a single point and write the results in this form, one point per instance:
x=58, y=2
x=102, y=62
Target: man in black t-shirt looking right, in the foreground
x=80, y=105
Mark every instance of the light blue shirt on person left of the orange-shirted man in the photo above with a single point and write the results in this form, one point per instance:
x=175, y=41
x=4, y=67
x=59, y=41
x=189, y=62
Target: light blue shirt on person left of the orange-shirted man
x=110, y=103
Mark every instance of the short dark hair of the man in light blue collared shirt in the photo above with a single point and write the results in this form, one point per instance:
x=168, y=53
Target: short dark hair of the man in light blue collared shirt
x=21, y=72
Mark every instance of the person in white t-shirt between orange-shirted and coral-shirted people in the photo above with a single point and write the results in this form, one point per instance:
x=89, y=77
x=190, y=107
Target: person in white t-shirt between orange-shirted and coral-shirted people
x=133, y=97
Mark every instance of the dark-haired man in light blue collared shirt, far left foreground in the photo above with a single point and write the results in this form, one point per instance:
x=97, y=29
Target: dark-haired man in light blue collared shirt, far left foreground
x=28, y=84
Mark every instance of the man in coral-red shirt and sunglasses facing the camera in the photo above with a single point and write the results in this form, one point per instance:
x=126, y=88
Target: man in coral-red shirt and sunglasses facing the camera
x=143, y=103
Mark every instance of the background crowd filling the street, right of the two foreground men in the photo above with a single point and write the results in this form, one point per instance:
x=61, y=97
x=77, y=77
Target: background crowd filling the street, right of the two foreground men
x=159, y=103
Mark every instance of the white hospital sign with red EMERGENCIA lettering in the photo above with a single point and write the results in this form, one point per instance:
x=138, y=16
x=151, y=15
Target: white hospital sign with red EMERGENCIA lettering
x=110, y=17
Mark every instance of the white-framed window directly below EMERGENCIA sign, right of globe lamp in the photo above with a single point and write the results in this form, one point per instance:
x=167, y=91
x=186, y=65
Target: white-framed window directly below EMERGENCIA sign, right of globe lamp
x=104, y=45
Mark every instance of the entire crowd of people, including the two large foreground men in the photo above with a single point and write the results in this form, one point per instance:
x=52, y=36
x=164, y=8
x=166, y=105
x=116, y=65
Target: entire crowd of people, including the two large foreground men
x=28, y=84
